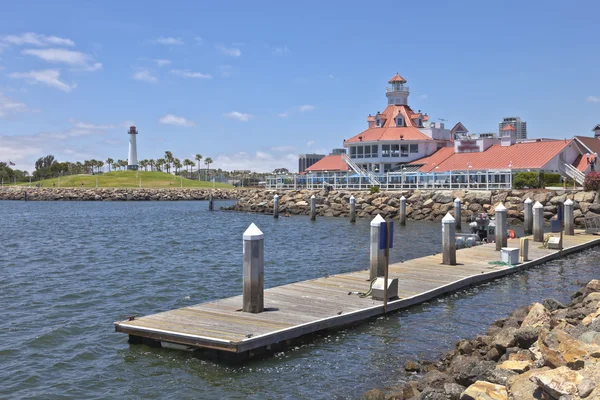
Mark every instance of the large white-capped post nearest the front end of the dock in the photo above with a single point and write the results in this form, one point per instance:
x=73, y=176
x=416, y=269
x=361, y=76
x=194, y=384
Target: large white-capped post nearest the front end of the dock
x=254, y=270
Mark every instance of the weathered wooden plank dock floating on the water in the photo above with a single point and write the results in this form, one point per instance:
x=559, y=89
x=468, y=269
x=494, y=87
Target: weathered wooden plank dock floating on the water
x=310, y=306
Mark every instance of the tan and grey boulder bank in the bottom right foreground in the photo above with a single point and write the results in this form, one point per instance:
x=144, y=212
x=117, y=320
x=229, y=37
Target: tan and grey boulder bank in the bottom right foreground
x=547, y=350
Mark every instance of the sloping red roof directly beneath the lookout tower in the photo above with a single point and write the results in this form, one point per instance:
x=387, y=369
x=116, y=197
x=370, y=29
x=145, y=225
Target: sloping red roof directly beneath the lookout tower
x=389, y=131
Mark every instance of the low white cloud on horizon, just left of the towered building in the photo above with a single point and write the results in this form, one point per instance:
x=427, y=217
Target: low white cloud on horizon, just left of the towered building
x=259, y=162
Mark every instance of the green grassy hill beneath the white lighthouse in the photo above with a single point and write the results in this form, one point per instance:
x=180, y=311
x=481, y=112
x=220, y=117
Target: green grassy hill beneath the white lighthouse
x=128, y=179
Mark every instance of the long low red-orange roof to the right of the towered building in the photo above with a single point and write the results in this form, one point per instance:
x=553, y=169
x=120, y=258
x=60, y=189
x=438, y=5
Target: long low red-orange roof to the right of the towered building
x=532, y=155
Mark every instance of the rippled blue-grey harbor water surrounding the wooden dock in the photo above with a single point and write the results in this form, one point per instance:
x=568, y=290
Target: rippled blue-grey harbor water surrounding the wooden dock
x=68, y=270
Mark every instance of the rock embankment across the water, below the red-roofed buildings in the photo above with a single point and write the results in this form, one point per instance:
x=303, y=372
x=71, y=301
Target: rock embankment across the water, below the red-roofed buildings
x=420, y=205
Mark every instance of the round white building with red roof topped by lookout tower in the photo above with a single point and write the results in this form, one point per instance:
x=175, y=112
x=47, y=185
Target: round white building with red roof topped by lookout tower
x=397, y=135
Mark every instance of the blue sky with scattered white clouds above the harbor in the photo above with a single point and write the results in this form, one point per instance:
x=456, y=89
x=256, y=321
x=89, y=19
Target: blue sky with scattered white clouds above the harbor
x=254, y=84
